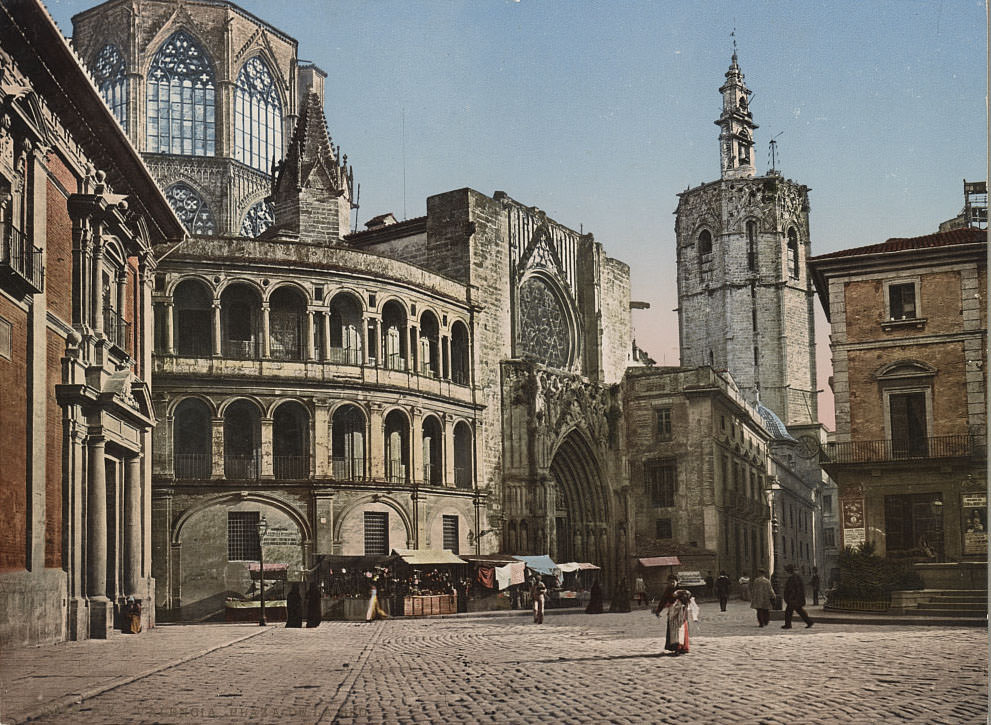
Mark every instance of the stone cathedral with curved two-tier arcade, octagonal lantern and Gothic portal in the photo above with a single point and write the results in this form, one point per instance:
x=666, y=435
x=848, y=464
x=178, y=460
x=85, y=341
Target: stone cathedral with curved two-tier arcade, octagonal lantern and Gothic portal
x=448, y=381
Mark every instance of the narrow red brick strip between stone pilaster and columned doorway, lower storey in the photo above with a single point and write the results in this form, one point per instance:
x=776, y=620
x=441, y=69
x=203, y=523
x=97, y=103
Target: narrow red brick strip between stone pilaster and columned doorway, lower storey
x=53, y=464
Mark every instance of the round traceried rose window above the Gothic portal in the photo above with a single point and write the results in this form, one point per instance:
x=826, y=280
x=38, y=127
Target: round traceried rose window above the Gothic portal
x=545, y=334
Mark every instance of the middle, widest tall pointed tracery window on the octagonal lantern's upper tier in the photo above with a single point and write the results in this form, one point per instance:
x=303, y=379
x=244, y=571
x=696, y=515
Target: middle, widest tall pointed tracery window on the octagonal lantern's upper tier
x=181, y=104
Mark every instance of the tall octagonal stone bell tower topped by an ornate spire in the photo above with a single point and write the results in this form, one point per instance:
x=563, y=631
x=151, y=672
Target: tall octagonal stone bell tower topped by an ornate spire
x=745, y=299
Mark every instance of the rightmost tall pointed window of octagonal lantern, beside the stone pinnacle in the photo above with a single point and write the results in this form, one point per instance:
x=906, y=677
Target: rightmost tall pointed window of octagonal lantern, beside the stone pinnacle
x=257, y=117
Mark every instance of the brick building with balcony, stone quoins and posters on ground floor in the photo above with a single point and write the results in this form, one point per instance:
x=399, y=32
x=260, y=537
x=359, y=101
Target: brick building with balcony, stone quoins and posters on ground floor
x=909, y=344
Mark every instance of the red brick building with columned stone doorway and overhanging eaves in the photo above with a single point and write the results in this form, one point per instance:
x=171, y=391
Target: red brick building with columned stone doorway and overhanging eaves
x=78, y=215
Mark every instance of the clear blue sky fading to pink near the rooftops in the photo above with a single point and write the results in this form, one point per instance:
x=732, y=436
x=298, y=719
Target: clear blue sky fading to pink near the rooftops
x=599, y=113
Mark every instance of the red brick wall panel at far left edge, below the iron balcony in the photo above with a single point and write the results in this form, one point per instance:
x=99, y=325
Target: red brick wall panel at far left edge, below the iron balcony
x=13, y=441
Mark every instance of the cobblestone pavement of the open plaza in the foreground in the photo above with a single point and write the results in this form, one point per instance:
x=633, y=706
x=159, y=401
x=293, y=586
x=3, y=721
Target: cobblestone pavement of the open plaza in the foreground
x=574, y=668
